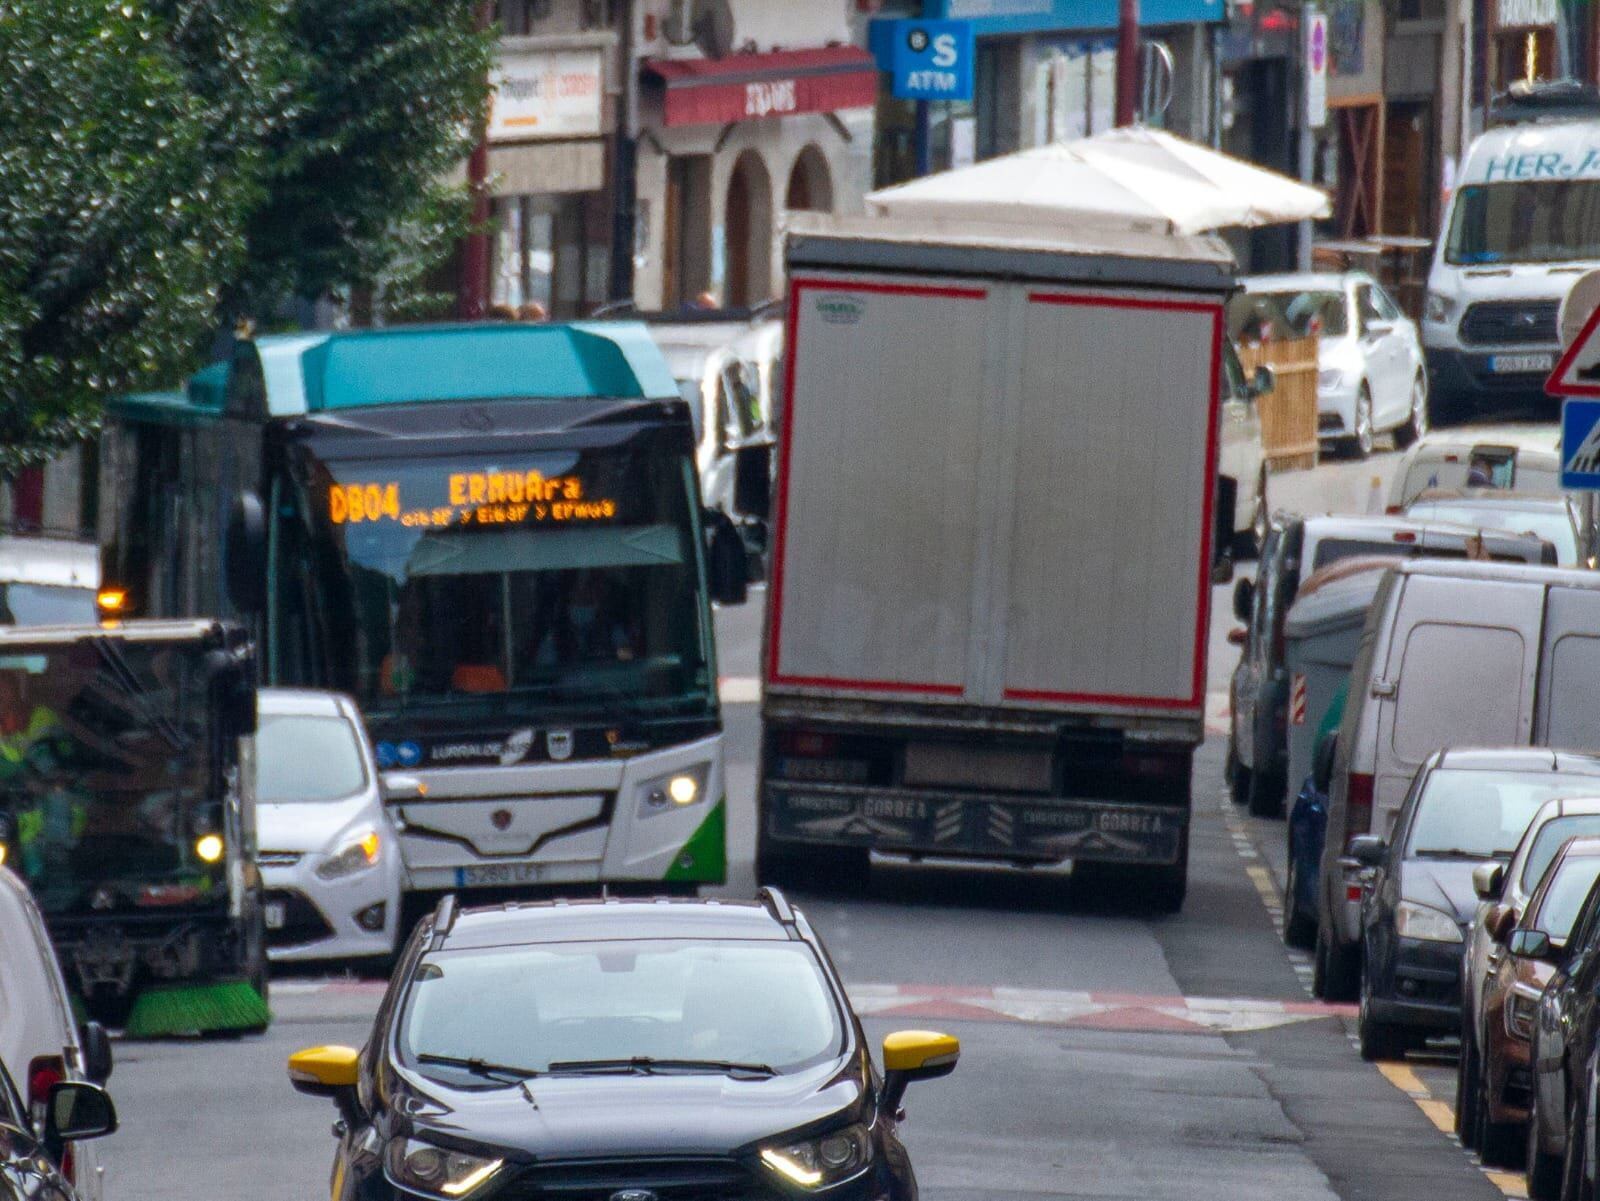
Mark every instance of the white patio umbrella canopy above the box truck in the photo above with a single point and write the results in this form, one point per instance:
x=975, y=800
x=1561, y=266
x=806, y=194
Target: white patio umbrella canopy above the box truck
x=1135, y=178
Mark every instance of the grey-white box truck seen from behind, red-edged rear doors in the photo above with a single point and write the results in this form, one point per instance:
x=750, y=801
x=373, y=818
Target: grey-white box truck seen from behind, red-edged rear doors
x=993, y=549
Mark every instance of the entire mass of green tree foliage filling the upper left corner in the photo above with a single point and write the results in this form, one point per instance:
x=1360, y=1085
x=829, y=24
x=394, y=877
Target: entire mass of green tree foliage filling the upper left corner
x=172, y=166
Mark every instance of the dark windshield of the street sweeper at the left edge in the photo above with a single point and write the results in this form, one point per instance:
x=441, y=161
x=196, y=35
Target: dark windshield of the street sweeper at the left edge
x=106, y=768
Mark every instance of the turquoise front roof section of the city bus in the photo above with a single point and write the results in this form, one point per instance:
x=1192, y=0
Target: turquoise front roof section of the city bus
x=314, y=373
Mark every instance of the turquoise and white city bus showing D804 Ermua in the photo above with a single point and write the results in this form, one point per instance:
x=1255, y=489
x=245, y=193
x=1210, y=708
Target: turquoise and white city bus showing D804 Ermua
x=492, y=537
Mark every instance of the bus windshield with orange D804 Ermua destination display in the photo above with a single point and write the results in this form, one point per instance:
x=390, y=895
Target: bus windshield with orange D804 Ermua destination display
x=526, y=583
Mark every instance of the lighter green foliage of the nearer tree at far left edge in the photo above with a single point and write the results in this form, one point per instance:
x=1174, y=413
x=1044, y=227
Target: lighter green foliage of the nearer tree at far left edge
x=121, y=215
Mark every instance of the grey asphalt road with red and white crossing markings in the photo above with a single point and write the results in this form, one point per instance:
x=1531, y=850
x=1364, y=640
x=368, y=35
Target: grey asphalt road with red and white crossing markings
x=1106, y=1055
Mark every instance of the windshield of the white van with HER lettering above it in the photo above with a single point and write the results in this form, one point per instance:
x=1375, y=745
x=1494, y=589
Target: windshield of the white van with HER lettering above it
x=1526, y=223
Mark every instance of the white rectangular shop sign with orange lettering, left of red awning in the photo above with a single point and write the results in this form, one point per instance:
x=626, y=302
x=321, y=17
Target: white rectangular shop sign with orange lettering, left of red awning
x=546, y=95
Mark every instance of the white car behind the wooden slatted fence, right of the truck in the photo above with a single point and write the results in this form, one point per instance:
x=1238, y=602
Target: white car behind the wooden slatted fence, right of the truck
x=1372, y=377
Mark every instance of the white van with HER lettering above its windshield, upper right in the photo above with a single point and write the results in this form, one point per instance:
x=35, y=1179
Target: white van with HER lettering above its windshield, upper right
x=1524, y=225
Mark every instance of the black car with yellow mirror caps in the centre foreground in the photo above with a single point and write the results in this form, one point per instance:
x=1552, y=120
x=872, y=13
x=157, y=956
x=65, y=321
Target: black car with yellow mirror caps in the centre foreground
x=636, y=1051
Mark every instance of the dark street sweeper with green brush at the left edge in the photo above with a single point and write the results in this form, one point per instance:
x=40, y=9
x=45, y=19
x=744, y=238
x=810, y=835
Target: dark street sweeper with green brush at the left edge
x=126, y=805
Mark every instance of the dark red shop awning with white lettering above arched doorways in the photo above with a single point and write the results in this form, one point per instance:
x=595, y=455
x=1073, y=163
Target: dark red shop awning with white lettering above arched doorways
x=748, y=87
